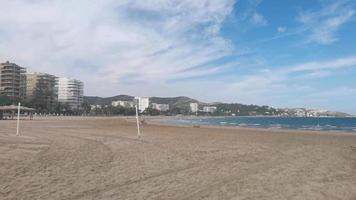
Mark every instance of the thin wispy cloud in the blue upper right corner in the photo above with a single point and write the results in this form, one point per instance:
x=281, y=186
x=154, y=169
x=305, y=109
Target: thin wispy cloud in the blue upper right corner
x=324, y=24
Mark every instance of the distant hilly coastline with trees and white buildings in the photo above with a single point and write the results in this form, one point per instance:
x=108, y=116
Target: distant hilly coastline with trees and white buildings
x=181, y=105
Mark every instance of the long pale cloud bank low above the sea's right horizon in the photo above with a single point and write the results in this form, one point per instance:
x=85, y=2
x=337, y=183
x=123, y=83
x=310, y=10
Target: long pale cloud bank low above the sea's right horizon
x=289, y=85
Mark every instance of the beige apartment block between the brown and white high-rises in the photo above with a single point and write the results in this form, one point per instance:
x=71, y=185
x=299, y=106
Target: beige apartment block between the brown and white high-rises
x=41, y=90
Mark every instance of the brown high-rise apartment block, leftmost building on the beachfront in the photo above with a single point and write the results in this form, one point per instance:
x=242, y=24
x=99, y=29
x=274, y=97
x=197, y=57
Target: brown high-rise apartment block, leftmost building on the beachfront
x=12, y=81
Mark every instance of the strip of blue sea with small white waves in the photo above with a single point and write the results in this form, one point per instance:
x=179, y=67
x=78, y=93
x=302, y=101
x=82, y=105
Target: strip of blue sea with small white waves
x=347, y=124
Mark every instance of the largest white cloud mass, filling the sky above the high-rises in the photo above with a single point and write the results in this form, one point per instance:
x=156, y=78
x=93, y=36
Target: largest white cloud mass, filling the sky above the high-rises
x=109, y=44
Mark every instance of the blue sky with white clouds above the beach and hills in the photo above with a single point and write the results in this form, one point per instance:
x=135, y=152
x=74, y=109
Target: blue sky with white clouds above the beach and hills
x=282, y=53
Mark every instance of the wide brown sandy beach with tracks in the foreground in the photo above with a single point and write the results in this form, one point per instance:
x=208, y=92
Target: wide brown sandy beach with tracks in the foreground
x=101, y=158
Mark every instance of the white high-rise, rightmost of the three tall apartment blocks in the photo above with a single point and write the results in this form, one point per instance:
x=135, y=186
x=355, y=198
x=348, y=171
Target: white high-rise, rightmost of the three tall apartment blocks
x=70, y=91
